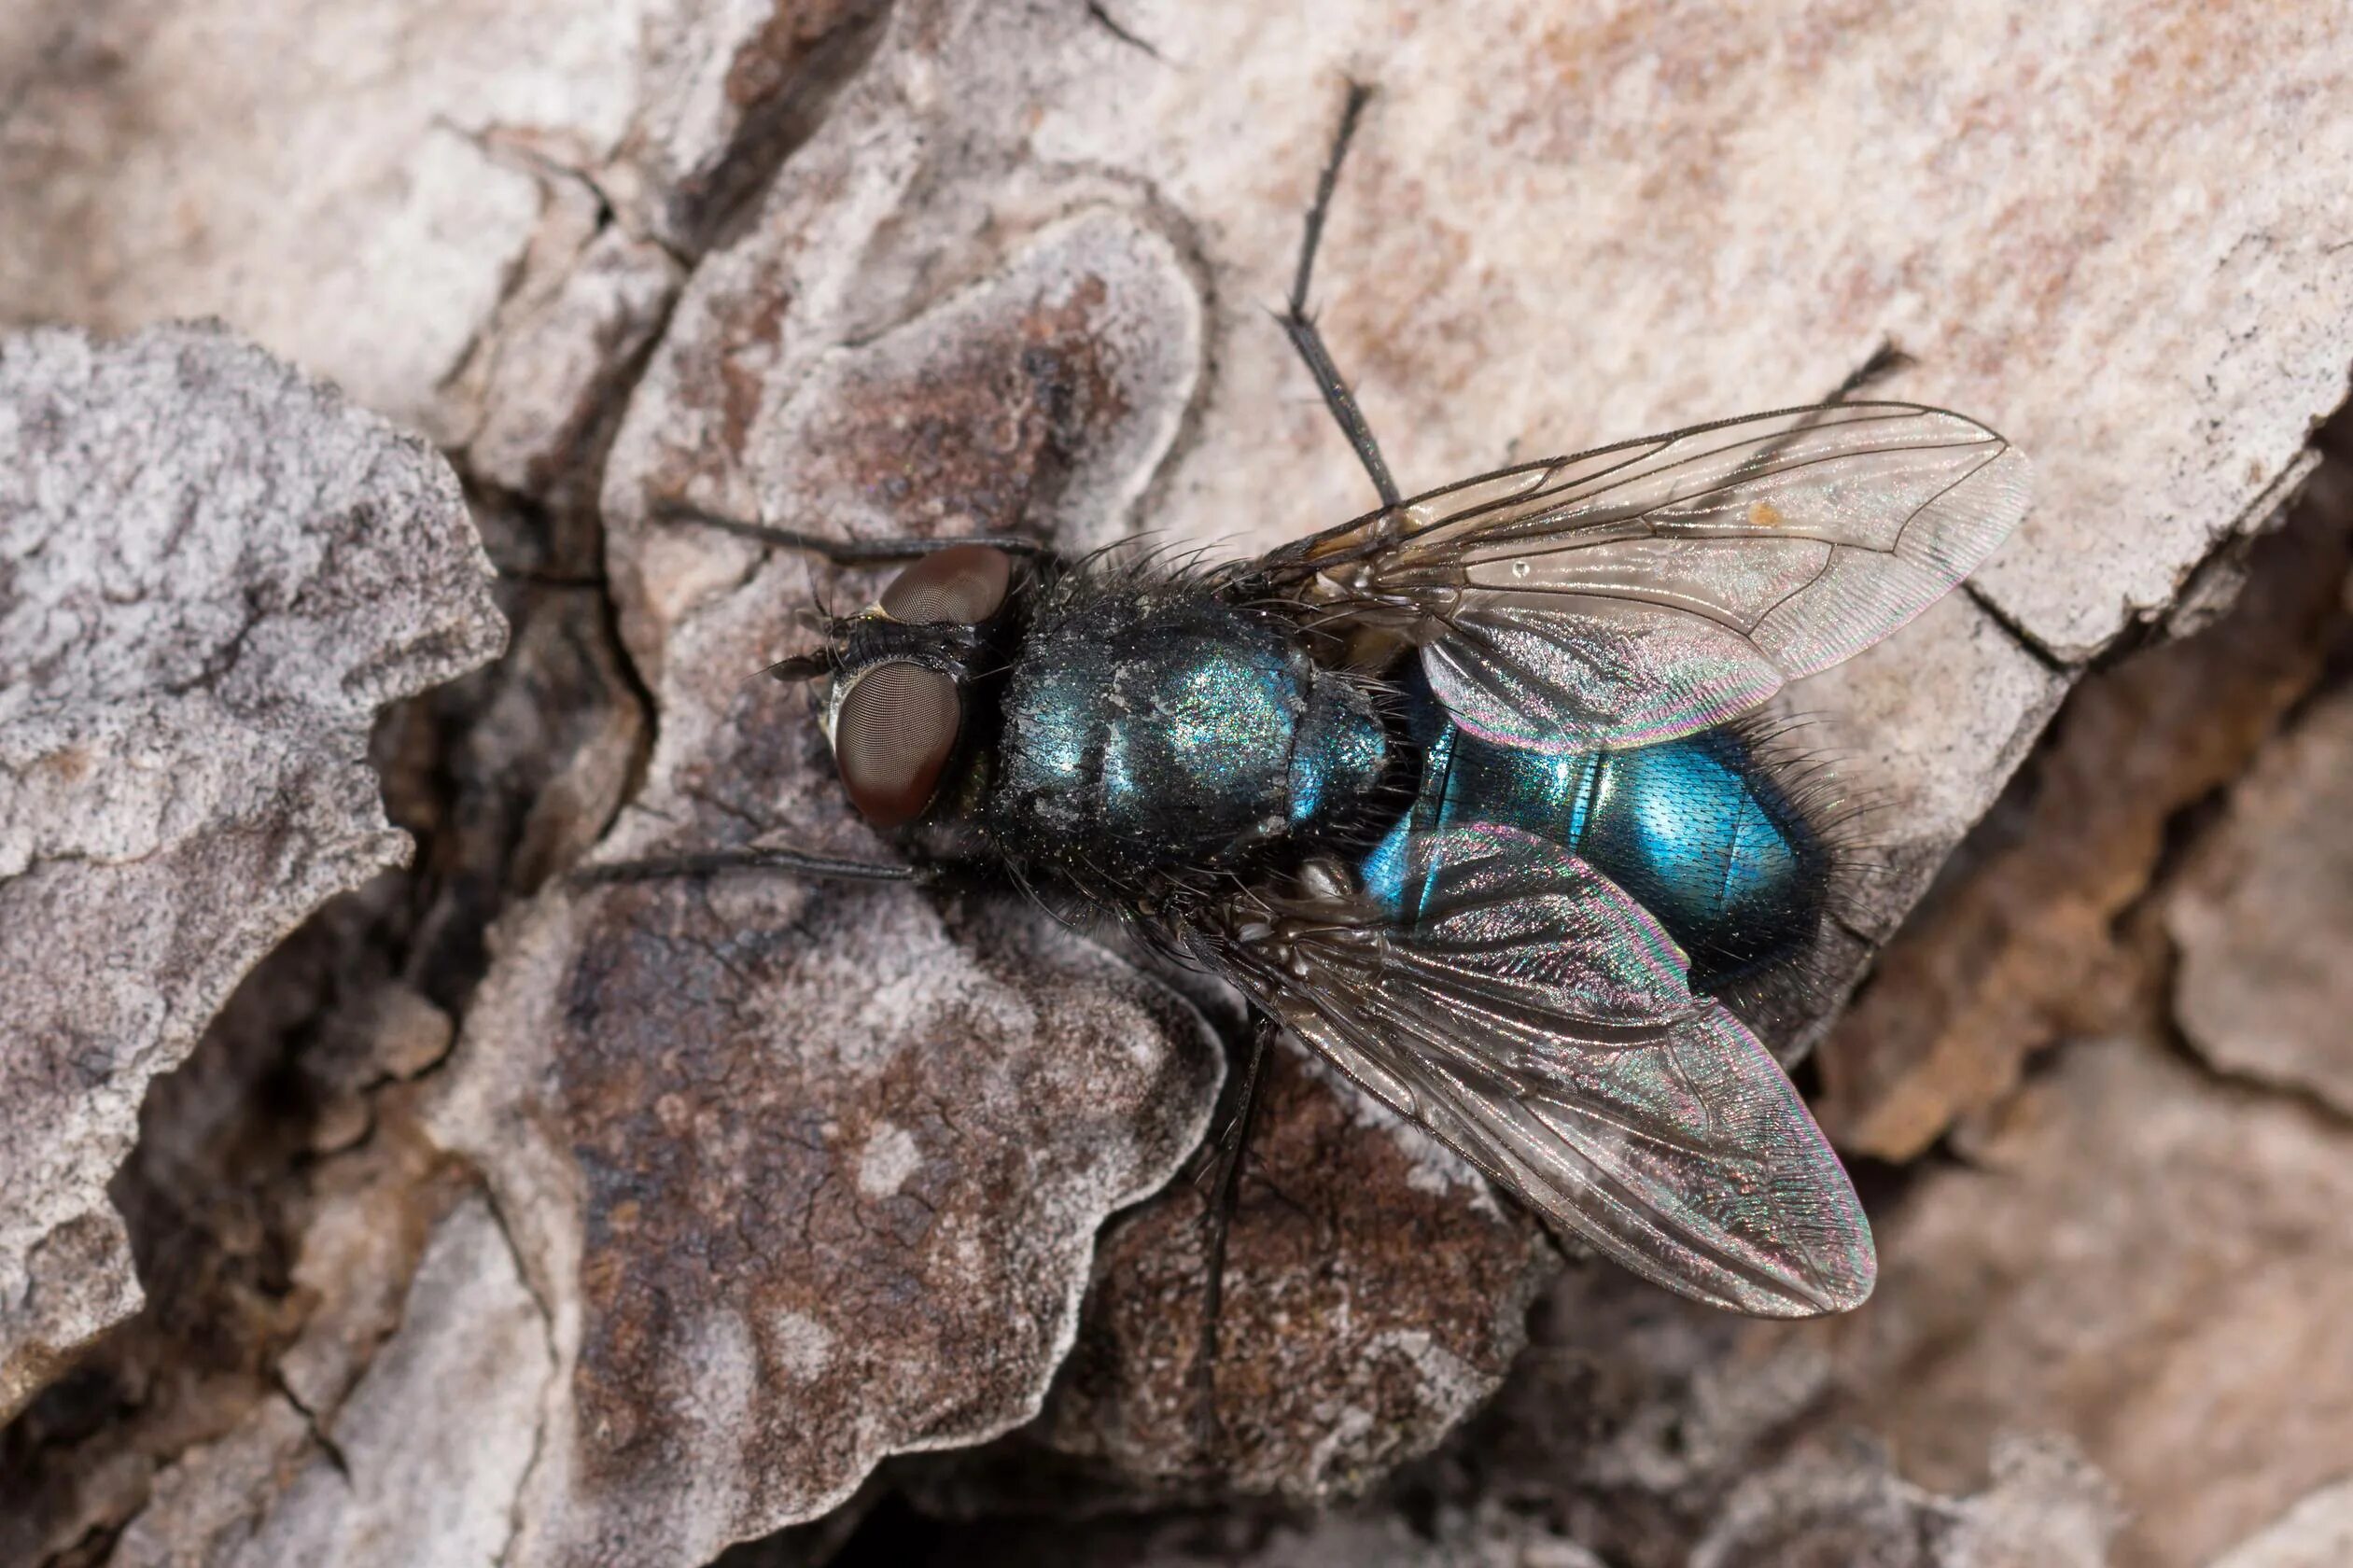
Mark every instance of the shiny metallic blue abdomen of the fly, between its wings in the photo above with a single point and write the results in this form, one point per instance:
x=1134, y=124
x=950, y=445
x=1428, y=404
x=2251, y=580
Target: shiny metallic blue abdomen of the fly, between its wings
x=1698, y=830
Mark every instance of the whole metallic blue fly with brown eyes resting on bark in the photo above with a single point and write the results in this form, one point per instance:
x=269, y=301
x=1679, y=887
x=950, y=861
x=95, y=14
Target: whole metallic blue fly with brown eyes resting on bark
x=1453, y=792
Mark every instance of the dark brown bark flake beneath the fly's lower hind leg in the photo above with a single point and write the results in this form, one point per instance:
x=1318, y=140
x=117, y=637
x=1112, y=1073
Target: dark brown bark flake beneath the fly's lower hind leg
x=1375, y=1294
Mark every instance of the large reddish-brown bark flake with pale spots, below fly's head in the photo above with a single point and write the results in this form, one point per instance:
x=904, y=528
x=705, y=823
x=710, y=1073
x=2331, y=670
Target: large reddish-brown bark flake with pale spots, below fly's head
x=808, y=1176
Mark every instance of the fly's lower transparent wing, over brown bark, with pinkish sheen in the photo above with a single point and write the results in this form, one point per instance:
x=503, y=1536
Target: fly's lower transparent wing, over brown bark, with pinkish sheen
x=1538, y=1021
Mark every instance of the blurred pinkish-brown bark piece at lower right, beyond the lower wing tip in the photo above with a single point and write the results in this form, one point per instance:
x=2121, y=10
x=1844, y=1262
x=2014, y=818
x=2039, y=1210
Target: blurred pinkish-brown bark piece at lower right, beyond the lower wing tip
x=2138, y=1256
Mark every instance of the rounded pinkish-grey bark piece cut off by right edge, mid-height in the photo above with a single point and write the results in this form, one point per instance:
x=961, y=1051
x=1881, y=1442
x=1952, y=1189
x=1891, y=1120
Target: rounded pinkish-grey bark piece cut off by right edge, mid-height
x=2265, y=919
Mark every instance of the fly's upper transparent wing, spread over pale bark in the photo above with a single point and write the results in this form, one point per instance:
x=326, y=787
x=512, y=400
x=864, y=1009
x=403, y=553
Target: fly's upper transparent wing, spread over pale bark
x=1665, y=585
